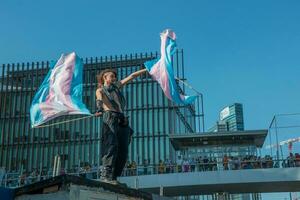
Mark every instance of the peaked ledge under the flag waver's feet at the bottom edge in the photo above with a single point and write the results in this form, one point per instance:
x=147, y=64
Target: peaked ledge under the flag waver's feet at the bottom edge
x=67, y=187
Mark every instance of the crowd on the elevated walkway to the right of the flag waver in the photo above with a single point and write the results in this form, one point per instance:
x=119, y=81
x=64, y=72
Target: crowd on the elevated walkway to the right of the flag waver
x=204, y=163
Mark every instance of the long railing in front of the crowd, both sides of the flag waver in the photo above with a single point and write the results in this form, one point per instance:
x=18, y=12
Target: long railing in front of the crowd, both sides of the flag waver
x=13, y=180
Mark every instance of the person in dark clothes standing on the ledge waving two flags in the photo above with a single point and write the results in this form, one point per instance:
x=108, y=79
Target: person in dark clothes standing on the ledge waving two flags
x=116, y=132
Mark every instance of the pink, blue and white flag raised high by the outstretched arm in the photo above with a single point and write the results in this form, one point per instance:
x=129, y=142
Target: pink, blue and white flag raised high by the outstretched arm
x=161, y=69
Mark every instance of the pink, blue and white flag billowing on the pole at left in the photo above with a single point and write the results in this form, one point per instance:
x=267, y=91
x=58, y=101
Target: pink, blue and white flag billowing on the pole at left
x=60, y=93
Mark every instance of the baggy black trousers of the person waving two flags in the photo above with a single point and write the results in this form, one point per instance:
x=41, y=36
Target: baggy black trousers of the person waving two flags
x=114, y=144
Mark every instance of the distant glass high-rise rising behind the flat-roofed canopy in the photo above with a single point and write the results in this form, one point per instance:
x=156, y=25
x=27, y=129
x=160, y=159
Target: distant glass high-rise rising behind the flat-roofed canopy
x=231, y=119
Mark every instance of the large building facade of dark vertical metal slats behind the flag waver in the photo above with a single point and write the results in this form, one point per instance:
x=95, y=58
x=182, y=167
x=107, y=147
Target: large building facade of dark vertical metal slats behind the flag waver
x=152, y=116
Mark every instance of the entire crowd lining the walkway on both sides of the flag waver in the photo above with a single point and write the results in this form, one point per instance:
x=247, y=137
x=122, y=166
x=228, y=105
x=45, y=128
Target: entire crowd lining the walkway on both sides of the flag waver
x=201, y=163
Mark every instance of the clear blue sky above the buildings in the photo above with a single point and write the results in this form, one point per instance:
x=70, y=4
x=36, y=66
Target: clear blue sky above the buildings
x=235, y=51
